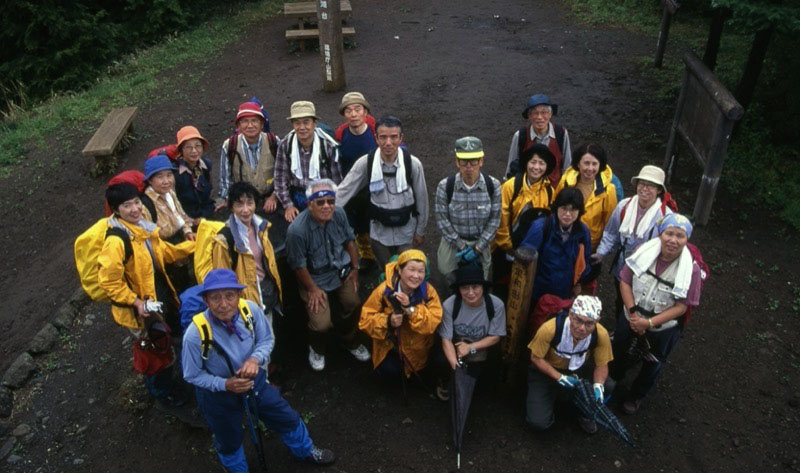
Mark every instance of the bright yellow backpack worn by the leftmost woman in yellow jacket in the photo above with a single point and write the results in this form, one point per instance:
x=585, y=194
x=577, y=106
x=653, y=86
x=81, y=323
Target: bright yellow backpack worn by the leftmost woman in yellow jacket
x=87, y=247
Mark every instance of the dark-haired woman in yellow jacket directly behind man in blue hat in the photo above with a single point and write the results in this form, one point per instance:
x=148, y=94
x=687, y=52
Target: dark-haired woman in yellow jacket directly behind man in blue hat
x=251, y=256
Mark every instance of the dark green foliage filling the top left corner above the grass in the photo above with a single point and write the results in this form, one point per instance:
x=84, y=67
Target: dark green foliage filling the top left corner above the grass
x=54, y=46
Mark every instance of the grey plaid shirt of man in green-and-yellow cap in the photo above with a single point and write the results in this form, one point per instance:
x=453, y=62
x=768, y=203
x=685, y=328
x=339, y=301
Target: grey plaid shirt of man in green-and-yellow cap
x=471, y=215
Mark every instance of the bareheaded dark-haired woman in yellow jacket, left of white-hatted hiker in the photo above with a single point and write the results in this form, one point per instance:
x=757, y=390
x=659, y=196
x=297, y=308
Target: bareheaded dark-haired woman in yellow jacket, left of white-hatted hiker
x=591, y=174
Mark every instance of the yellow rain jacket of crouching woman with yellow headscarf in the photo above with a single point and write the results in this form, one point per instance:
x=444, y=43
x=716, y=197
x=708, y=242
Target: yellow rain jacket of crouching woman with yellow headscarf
x=414, y=337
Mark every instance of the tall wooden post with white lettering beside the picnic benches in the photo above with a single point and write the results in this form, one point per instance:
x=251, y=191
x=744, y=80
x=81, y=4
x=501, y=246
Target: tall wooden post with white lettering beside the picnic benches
x=330, y=44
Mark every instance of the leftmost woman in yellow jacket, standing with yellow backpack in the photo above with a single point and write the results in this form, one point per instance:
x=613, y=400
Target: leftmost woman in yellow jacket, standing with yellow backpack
x=130, y=279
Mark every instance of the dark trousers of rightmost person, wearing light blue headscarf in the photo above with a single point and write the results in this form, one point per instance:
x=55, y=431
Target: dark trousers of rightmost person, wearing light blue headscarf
x=661, y=345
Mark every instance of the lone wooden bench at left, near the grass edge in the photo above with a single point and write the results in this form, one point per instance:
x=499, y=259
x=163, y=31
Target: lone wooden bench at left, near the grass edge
x=106, y=140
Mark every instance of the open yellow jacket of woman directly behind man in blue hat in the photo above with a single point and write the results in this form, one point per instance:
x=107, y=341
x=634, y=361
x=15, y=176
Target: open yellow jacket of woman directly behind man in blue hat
x=246, y=272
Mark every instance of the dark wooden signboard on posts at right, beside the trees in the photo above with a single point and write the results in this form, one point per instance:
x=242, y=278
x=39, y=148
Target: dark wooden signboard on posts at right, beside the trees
x=704, y=119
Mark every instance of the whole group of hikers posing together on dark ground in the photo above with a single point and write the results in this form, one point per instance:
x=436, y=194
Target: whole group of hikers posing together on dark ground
x=356, y=196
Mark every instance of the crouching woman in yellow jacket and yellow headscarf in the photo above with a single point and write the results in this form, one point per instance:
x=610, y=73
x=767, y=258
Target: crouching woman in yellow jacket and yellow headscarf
x=401, y=316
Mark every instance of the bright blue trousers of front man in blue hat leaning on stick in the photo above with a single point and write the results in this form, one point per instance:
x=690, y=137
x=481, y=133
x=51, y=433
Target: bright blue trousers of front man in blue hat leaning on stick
x=223, y=412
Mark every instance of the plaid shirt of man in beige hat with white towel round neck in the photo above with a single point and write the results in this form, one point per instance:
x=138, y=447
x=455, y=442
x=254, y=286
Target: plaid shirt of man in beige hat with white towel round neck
x=284, y=179
